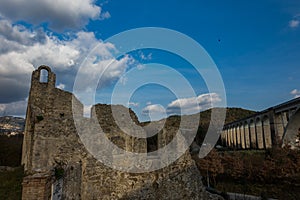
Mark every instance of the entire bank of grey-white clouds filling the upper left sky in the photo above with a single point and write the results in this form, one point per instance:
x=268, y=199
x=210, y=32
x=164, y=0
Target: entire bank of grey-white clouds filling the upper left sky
x=28, y=40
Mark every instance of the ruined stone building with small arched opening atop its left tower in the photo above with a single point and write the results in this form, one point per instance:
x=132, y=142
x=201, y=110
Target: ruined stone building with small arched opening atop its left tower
x=58, y=166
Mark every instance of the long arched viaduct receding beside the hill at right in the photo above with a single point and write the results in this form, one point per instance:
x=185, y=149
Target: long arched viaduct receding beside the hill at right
x=277, y=125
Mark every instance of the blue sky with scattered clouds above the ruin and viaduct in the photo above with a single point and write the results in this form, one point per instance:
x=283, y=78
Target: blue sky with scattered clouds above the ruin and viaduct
x=254, y=44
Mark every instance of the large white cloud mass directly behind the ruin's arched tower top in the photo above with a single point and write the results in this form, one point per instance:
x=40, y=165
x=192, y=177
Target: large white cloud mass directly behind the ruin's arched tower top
x=26, y=49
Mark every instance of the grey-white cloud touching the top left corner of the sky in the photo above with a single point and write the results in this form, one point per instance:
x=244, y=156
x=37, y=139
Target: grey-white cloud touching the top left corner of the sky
x=60, y=14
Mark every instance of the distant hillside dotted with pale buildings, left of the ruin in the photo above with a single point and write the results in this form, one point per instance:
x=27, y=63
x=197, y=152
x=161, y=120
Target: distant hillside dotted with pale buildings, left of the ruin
x=11, y=125
